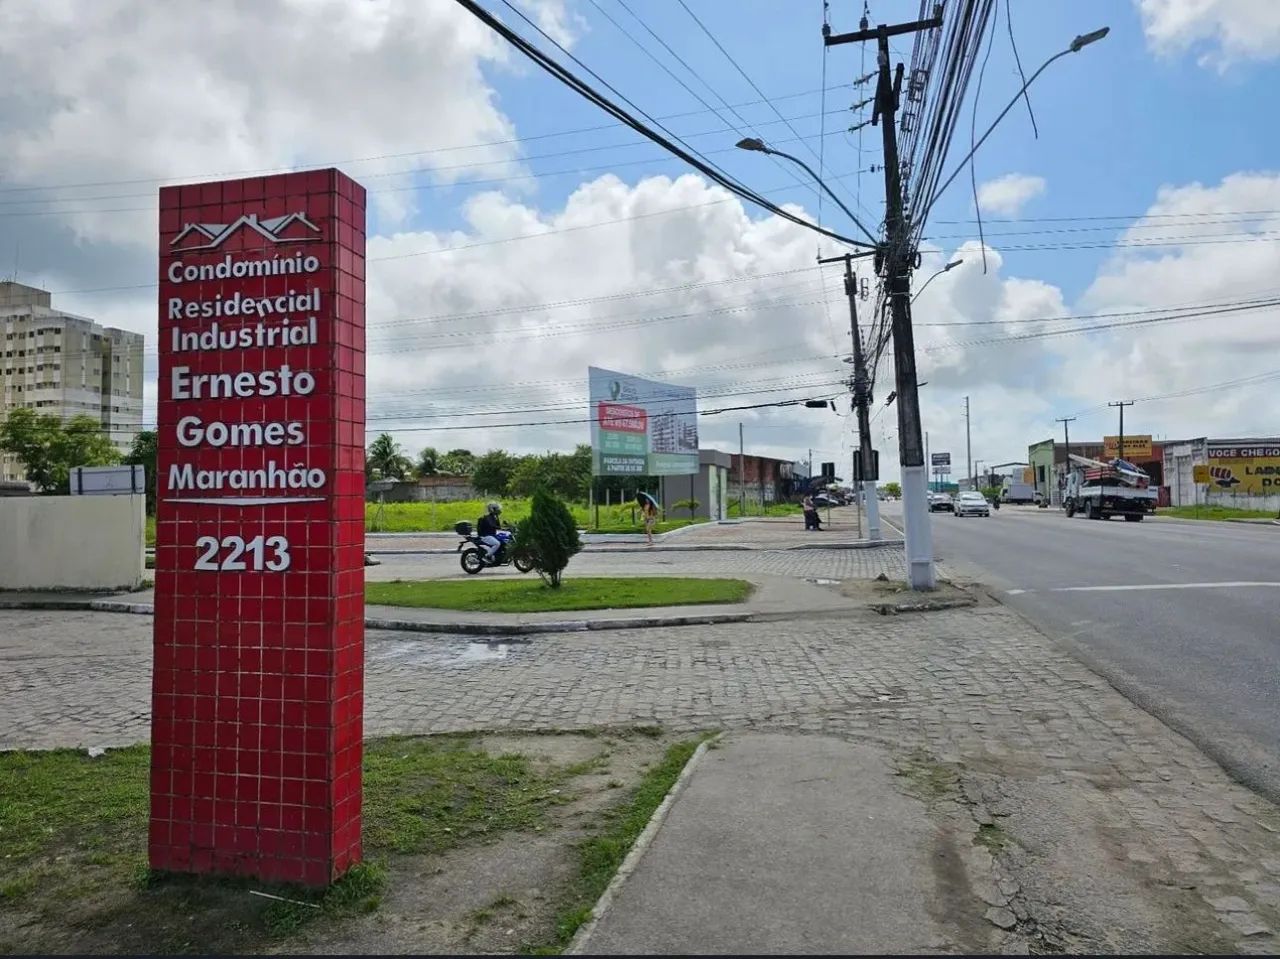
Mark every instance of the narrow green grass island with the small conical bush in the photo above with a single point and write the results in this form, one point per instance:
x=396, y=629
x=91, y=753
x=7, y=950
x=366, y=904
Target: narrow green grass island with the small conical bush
x=527, y=596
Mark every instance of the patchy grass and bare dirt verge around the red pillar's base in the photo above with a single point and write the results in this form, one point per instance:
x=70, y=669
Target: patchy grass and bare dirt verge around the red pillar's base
x=472, y=844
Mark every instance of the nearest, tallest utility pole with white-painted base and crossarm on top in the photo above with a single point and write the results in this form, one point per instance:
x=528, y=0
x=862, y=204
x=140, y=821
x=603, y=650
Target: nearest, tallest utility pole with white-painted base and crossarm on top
x=897, y=261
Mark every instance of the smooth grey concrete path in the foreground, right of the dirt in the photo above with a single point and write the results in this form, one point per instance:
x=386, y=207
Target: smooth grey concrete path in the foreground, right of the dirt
x=793, y=844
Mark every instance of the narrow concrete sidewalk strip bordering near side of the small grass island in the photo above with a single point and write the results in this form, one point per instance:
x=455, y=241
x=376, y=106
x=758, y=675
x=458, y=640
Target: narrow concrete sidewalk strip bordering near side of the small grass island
x=774, y=599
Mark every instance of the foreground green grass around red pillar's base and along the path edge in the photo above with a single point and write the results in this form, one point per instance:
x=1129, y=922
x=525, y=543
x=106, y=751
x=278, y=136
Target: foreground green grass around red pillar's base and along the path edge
x=74, y=834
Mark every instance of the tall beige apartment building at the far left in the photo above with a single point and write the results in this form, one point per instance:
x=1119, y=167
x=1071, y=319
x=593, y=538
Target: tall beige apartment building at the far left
x=67, y=366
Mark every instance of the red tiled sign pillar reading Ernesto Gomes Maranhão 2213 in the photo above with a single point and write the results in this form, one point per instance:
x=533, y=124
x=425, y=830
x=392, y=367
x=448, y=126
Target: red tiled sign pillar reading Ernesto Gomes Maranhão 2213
x=259, y=581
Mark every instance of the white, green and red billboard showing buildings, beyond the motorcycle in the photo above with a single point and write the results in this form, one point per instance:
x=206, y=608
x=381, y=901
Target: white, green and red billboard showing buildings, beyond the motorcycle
x=642, y=428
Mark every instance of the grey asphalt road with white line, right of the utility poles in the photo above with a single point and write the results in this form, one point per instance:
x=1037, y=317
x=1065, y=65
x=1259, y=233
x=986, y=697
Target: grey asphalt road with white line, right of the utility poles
x=1183, y=618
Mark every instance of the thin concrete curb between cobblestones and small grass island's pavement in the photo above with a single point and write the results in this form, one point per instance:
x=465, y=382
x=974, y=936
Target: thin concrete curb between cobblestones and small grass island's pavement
x=469, y=629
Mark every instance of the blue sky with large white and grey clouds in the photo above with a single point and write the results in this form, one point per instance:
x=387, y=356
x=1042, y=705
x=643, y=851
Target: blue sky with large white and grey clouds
x=519, y=235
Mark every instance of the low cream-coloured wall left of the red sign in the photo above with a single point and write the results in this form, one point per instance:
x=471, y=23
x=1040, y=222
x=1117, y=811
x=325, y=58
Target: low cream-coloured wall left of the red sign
x=94, y=542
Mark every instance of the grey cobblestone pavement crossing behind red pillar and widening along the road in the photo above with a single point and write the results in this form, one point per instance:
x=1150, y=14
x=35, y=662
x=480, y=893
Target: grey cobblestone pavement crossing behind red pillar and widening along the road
x=1108, y=832
